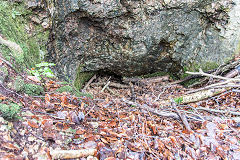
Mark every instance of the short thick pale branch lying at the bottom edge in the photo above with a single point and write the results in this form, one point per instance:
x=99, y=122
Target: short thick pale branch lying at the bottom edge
x=71, y=154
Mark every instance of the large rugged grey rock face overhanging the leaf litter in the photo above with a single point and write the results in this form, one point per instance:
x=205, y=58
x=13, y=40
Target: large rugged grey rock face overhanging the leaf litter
x=133, y=37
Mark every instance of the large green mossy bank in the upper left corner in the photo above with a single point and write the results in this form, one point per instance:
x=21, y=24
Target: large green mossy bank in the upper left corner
x=13, y=22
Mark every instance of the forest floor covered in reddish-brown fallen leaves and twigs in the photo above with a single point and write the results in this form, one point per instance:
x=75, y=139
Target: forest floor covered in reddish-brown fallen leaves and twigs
x=121, y=123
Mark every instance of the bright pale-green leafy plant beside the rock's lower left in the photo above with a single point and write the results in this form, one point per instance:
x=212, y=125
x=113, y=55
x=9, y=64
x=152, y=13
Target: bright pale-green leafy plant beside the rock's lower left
x=43, y=69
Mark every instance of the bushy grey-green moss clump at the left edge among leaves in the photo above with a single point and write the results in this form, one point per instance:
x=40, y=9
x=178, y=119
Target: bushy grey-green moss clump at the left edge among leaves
x=10, y=112
